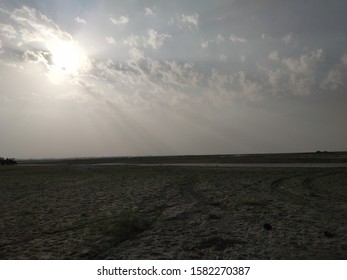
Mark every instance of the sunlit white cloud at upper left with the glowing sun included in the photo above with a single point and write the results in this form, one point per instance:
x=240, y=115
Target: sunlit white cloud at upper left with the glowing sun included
x=40, y=40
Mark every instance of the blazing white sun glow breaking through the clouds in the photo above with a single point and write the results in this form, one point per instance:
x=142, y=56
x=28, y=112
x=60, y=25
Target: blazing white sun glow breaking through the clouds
x=68, y=58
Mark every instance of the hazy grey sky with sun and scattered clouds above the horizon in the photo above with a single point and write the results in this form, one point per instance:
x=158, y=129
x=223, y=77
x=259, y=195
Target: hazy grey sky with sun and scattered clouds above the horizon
x=171, y=77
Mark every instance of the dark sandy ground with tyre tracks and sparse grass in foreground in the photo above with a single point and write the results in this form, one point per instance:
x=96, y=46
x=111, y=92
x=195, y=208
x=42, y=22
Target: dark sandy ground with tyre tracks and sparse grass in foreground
x=172, y=212
